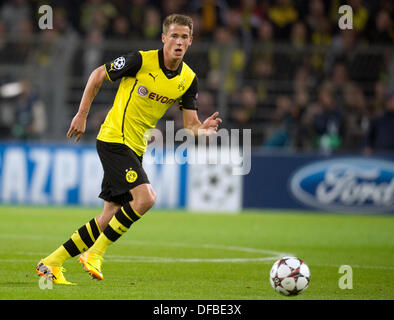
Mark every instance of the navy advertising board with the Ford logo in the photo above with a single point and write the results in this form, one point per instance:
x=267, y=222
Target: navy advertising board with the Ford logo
x=340, y=184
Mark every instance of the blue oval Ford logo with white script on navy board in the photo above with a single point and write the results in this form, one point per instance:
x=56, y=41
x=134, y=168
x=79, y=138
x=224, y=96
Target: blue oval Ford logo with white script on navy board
x=346, y=184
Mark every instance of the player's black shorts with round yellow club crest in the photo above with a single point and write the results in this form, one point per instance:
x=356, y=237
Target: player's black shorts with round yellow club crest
x=123, y=171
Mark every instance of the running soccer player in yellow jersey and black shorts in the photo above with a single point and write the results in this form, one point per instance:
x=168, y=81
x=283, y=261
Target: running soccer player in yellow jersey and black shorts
x=151, y=82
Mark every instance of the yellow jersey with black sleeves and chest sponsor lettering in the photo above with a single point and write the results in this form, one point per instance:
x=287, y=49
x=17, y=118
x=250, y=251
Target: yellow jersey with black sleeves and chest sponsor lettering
x=146, y=91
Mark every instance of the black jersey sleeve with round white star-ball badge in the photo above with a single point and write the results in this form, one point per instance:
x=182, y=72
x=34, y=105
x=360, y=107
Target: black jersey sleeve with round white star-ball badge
x=126, y=65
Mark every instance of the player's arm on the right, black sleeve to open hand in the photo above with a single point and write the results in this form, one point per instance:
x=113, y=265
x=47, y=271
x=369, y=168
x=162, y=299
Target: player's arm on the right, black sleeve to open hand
x=190, y=117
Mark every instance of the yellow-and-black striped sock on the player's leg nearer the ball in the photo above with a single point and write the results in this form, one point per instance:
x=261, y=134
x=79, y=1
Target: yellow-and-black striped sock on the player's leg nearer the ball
x=118, y=225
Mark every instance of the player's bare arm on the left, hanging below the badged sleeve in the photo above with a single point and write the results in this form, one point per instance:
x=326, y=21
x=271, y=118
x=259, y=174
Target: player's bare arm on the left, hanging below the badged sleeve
x=78, y=124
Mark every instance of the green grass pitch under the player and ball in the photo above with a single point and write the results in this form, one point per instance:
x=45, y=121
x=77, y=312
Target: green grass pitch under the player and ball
x=176, y=255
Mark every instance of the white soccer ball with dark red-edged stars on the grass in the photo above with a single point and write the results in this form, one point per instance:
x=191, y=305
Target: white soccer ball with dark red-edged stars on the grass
x=290, y=276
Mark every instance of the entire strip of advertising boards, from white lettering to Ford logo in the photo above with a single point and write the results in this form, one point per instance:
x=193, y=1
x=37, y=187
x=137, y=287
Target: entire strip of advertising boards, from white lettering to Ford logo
x=72, y=174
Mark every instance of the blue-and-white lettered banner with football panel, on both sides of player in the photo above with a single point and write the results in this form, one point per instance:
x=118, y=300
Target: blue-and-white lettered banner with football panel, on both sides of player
x=62, y=174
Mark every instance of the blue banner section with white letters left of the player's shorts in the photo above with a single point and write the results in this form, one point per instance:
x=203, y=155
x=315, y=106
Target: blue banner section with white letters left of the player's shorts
x=49, y=174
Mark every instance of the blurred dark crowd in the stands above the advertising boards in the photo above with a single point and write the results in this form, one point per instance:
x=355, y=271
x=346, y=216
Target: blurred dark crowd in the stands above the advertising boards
x=280, y=67
